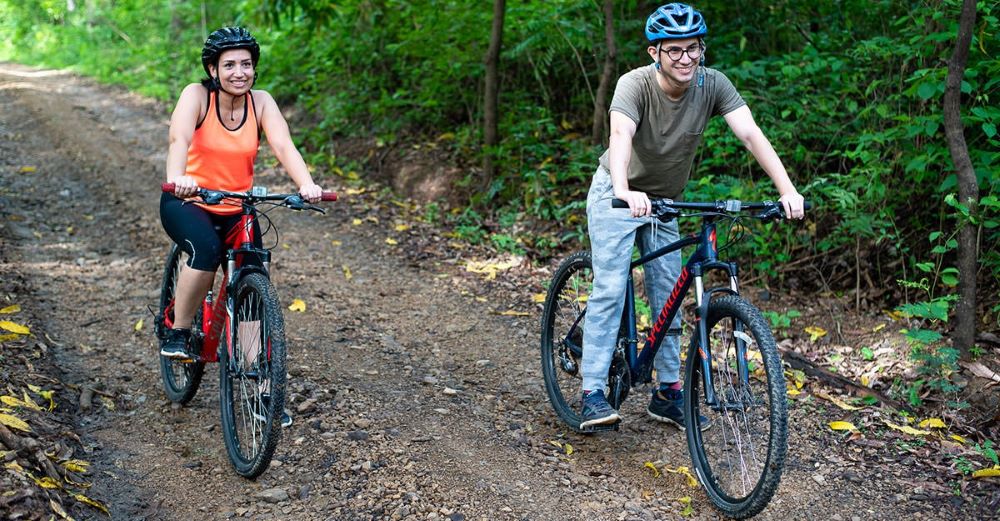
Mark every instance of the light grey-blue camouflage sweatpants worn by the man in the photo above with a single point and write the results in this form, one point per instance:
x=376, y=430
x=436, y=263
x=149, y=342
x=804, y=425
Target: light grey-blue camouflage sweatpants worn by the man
x=613, y=231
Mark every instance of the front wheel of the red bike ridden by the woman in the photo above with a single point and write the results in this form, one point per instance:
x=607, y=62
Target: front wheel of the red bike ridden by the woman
x=252, y=377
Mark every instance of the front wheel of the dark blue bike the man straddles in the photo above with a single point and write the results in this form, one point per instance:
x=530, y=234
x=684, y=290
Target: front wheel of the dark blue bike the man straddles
x=740, y=454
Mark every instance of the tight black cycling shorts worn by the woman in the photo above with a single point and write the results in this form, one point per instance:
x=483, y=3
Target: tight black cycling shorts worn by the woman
x=199, y=233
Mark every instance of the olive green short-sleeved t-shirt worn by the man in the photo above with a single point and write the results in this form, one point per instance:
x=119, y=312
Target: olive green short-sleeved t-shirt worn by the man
x=668, y=132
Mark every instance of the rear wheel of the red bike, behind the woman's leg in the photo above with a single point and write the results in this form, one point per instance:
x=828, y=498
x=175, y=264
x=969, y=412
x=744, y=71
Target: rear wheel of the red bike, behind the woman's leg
x=180, y=379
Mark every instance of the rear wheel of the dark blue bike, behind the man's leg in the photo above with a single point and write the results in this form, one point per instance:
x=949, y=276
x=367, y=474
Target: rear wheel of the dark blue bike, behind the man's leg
x=562, y=335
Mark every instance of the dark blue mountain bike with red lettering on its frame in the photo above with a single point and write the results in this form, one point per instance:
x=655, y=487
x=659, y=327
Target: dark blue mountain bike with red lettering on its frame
x=733, y=375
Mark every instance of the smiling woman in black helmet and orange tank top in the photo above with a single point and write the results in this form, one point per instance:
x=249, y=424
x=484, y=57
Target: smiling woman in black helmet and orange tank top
x=214, y=135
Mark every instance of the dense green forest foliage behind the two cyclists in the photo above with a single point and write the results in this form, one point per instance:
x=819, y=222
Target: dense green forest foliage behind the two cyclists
x=849, y=92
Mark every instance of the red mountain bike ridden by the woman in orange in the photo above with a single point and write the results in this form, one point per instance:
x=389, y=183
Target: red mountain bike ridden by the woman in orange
x=241, y=326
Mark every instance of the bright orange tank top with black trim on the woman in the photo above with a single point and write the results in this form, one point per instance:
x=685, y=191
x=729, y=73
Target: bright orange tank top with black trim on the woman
x=222, y=159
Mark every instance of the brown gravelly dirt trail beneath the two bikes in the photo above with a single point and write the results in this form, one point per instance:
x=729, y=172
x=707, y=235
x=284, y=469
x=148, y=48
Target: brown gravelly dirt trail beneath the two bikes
x=412, y=398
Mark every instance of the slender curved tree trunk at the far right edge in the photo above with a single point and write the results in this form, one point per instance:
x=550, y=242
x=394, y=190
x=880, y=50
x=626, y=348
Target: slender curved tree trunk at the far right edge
x=968, y=188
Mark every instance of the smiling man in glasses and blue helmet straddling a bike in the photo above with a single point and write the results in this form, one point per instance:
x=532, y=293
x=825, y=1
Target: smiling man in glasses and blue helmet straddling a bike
x=658, y=114
